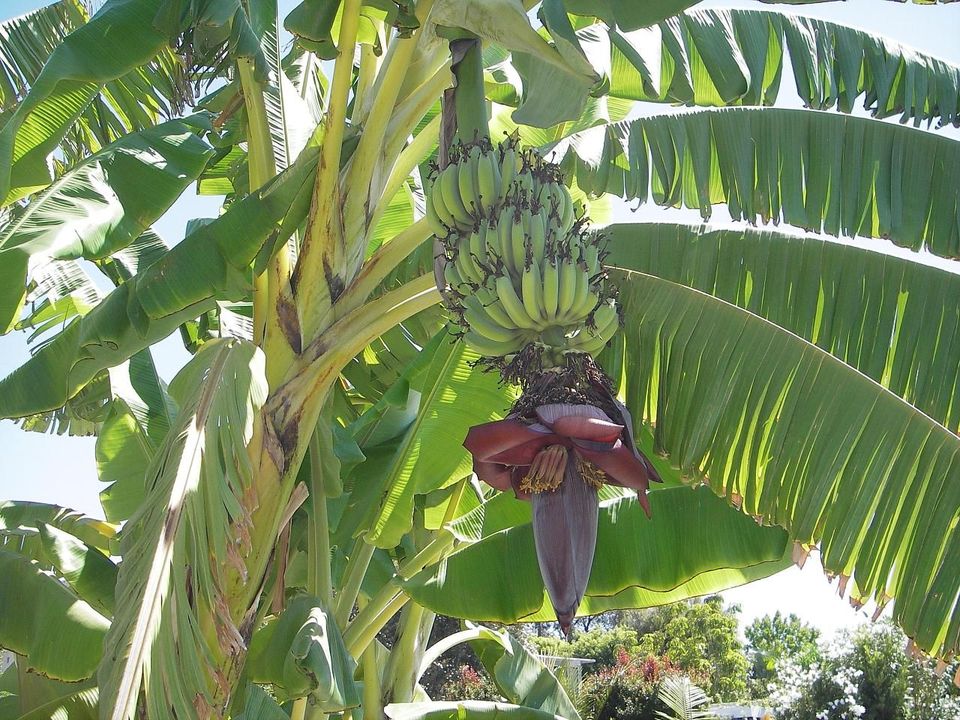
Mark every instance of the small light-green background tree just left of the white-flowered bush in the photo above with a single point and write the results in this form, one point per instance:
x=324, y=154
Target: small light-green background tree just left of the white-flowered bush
x=772, y=639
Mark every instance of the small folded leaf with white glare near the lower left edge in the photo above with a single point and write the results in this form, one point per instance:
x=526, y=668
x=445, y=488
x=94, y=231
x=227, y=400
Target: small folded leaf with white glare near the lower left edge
x=90, y=573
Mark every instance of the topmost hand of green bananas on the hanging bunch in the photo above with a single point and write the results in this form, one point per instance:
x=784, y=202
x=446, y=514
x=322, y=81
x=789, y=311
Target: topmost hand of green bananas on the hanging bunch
x=481, y=177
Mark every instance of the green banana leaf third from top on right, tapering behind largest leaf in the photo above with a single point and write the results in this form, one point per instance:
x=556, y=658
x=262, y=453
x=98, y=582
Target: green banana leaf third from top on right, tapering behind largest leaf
x=883, y=315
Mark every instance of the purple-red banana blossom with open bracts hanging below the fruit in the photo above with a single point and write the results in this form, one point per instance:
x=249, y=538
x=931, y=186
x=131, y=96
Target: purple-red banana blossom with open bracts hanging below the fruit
x=558, y=460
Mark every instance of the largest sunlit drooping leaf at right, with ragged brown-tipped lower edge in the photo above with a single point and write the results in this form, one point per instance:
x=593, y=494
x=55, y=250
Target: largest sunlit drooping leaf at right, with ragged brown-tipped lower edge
x=805, y=442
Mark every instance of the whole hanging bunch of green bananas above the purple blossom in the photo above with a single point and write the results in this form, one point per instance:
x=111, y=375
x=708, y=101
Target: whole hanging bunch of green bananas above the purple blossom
x=519, y=268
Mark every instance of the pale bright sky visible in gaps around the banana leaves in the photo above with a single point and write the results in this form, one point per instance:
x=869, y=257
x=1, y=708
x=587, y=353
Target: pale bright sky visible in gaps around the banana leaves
x=62, y=470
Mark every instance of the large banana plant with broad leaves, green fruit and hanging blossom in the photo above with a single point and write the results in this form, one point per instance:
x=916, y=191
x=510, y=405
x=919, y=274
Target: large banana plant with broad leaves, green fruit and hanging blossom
x=303, y=479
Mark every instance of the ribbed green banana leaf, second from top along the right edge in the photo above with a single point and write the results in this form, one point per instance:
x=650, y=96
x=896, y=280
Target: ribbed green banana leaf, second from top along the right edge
x=820, y=171
